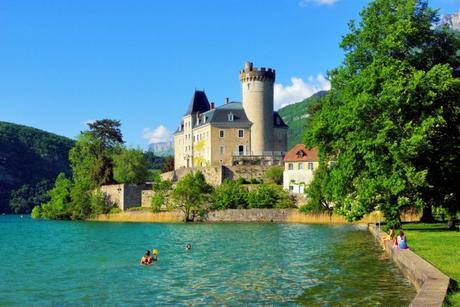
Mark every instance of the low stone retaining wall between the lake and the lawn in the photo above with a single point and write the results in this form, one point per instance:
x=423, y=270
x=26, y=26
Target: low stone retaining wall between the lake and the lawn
x=431, y=284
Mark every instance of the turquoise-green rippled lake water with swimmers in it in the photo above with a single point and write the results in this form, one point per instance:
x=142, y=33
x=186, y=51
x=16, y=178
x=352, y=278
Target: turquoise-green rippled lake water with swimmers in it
x=93, y=263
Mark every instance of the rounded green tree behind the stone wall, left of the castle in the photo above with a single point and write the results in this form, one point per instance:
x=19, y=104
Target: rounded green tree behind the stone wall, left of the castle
x=130, y=166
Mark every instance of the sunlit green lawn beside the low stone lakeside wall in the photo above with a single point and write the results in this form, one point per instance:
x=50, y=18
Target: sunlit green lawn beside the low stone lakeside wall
x=440, y=247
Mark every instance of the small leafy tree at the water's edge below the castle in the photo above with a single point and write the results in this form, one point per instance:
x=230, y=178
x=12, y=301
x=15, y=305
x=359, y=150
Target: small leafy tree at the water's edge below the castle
x=190, y=195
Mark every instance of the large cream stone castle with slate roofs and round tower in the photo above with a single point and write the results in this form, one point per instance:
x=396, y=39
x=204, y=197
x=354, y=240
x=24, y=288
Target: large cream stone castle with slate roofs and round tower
x=223, y=135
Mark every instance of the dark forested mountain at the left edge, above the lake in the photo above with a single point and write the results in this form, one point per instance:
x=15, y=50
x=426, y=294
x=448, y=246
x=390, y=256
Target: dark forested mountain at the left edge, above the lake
x=30, y=160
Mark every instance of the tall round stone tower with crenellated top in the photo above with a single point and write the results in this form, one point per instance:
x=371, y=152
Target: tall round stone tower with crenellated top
x=257, y=99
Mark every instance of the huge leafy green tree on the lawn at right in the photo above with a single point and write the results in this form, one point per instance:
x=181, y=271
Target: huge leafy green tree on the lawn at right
x=391, y=120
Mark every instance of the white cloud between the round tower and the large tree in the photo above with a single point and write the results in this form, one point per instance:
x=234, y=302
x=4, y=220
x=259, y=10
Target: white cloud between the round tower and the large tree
x=299, y=89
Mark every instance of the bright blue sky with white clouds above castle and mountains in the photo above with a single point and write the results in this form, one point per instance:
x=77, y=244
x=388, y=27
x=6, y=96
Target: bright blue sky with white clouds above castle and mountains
x=66, y=62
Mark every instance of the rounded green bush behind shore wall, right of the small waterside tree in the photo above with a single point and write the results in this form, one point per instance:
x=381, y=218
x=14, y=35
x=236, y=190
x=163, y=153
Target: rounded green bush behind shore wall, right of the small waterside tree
x=230, y=195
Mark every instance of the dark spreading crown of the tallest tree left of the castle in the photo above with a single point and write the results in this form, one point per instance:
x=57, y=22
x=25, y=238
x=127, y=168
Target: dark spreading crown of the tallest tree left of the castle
x=107, y=131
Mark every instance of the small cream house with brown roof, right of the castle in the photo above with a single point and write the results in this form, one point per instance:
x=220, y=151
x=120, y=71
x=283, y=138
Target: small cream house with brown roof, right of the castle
x=300, y=164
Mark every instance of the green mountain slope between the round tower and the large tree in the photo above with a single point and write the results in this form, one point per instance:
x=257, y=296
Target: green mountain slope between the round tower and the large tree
x=295, y=116
